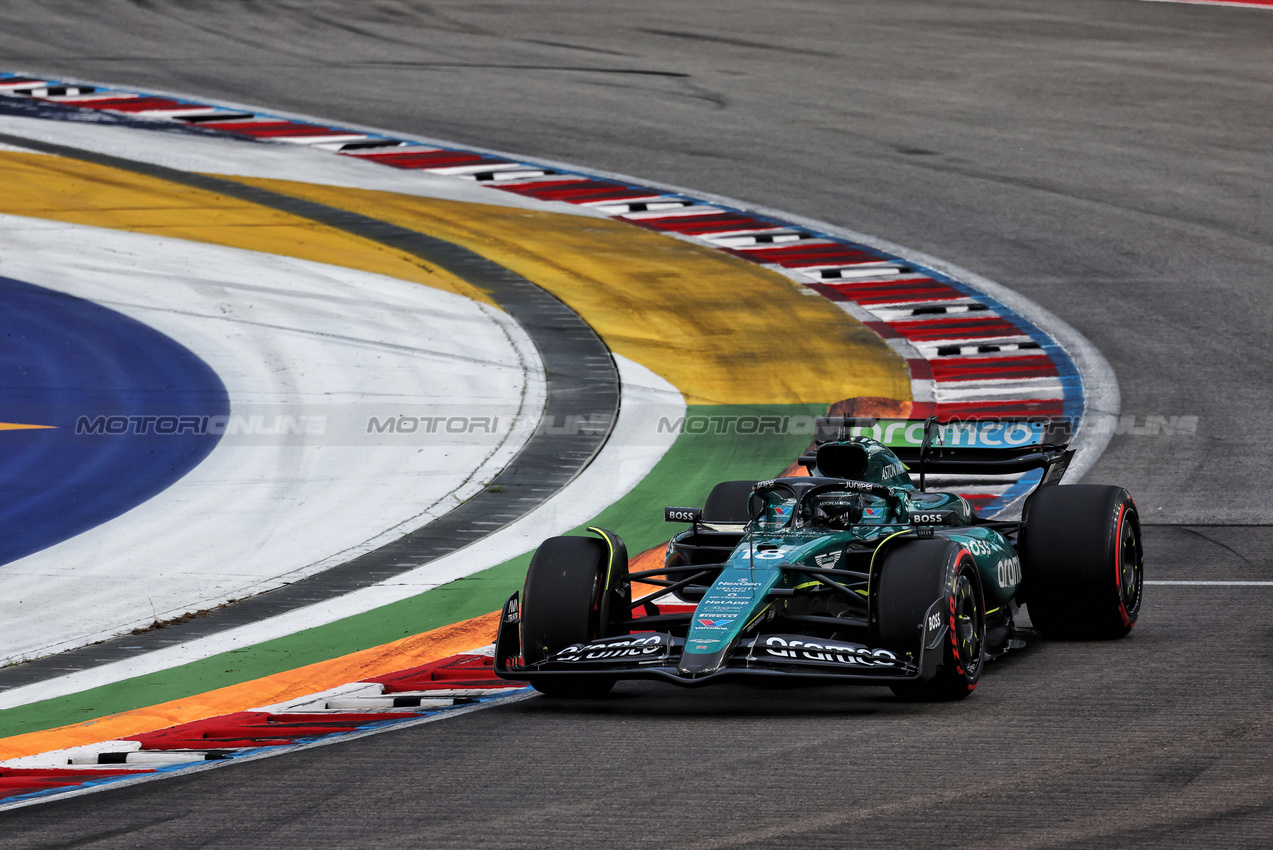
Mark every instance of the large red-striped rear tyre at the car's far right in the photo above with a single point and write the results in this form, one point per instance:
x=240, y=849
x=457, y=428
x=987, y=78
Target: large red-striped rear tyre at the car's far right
x=1083, y=562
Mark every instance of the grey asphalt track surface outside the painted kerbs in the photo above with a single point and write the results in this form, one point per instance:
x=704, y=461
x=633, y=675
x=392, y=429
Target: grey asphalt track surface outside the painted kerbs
x=1107, y=158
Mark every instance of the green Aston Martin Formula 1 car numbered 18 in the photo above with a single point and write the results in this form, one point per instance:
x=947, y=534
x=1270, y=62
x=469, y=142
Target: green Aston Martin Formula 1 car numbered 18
x=850, y=575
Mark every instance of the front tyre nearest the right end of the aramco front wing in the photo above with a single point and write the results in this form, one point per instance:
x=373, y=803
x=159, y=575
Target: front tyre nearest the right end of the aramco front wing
x=915, y=576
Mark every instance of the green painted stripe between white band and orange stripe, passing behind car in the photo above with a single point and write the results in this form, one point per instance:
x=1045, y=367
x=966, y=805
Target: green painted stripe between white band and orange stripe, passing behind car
x=684, y=477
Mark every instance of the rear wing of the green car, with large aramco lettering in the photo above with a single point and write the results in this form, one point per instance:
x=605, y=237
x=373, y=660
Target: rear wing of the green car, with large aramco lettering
x=1002, y=446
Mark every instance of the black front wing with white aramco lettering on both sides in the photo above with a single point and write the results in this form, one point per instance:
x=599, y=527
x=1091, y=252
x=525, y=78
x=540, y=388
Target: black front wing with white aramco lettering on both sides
x=658, y=656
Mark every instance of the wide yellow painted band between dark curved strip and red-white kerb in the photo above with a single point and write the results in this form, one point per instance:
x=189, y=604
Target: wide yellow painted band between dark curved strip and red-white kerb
x=717, y=328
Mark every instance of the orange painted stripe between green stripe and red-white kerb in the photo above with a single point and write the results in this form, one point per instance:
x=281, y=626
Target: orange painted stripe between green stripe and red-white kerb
x=370, y=664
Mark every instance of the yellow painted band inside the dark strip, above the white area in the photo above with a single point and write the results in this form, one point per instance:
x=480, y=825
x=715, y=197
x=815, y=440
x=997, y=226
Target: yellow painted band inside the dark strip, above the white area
x=68, y=190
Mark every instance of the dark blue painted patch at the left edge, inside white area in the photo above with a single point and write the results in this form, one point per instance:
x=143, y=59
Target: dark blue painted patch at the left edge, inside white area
x=64, y=362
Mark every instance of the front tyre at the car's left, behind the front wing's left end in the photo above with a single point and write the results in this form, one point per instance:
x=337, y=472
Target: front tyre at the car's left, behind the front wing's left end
x=563, y=604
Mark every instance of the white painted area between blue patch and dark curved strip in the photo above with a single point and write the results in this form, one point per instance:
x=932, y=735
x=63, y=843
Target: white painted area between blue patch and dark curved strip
x=285, y=335
